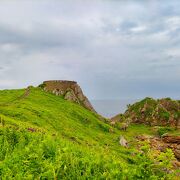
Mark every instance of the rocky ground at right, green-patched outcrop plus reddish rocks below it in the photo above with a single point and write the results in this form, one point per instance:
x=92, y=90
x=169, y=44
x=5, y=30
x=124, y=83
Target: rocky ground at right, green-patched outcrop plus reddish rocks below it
x=162, y=116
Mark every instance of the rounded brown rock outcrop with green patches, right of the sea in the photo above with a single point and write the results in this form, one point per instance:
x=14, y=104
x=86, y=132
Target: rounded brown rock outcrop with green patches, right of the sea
x=161, y=112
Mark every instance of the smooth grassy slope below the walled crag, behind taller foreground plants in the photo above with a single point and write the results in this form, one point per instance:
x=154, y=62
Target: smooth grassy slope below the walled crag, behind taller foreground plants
x=54, y=114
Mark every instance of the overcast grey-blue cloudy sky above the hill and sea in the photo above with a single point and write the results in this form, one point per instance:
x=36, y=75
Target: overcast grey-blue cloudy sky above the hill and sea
x=113, y=49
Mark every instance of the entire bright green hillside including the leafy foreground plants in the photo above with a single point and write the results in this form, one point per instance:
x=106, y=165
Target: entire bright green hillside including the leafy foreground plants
x=43, y=136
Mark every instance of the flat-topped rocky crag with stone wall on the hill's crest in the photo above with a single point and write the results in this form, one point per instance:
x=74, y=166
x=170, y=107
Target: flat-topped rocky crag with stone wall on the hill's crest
x=70, y=90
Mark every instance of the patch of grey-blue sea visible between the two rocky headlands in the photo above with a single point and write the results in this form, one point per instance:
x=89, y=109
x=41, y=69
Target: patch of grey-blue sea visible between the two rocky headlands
x=110, y=108
